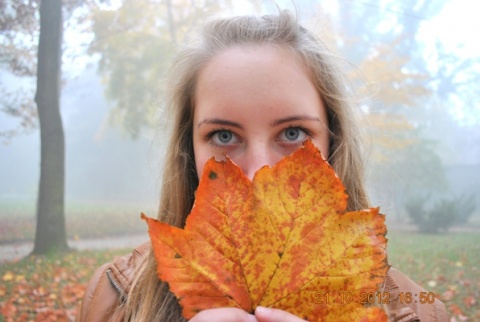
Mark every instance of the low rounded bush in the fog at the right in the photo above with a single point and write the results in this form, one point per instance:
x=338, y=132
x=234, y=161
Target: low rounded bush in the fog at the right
x=442, y=215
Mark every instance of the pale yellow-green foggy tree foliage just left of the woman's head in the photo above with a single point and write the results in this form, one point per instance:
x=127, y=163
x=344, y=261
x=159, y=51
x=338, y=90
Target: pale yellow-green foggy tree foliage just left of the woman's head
x=136, y=43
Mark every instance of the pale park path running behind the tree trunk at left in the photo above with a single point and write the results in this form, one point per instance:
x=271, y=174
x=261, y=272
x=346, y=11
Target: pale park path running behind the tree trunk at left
x=15, y=251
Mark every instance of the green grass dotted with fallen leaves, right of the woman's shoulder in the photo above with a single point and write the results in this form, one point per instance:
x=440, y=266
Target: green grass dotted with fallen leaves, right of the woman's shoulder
x=446, y=264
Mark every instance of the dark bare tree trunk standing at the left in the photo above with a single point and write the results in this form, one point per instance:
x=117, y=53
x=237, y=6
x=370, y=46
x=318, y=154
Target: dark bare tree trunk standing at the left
x=50, y=232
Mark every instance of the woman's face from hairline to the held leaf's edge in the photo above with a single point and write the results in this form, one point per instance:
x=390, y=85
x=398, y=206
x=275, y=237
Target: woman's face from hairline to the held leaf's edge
x=256, y=105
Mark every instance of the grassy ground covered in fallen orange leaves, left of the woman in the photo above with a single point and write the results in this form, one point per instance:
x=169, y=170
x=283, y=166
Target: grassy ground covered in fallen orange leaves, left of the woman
x=48, y=288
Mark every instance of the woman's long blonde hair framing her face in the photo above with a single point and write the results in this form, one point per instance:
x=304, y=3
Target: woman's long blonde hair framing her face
x=149, y=298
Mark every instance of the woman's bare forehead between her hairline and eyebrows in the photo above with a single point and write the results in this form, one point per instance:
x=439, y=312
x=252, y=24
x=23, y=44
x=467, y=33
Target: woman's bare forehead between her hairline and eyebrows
x=254, y=74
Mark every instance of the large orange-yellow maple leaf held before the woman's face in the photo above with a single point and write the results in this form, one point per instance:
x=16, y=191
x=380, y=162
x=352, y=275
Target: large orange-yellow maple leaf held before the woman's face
x=283, y=240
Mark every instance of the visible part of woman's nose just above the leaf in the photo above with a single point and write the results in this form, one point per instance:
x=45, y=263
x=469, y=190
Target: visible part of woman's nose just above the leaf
x=257, y=155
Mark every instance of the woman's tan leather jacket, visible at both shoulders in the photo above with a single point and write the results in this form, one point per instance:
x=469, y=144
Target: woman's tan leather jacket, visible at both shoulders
x=111, y=283
